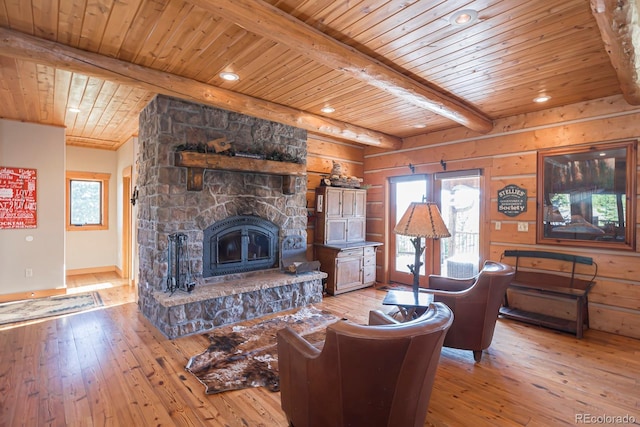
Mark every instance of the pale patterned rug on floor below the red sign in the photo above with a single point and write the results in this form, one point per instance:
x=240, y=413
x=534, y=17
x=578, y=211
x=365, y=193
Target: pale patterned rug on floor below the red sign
x=37, y=308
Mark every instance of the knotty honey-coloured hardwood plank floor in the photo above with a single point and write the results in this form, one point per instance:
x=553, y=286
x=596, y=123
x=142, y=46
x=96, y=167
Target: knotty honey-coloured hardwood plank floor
x=112, y=367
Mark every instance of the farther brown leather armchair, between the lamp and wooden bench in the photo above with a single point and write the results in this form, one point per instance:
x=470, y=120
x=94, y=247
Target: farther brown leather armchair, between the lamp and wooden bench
x=475, y=303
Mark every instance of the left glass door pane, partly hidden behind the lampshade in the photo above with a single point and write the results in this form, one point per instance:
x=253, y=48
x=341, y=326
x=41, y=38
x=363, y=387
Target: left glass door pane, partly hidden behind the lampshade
x=407, y=192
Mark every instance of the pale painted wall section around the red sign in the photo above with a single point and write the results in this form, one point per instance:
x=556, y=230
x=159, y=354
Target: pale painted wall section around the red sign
x=42, y=148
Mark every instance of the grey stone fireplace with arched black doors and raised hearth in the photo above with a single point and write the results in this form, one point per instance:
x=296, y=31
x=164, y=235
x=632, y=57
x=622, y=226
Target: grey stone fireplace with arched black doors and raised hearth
x=234, y=224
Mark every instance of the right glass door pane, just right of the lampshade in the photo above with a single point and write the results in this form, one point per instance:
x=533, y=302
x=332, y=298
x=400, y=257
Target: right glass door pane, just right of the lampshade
x=460, y=201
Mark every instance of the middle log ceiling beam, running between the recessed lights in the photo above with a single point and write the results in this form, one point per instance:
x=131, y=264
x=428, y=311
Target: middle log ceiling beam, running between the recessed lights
x=270, y=22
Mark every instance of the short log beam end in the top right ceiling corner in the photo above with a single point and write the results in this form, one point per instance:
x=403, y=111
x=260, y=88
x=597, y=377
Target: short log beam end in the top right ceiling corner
x=619, y=23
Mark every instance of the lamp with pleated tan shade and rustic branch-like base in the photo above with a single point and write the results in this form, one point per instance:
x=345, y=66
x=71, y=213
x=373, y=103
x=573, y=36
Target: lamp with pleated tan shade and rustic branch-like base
x=421, y=220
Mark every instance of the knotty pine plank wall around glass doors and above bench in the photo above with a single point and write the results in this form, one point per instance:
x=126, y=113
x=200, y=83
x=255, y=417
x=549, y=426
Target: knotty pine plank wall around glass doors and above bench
x=508, y=156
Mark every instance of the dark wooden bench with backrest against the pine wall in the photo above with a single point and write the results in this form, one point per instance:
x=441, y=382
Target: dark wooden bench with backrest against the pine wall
x=559, y=279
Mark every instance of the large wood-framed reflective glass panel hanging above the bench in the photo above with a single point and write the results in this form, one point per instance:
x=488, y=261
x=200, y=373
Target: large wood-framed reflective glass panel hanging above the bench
x=587, y=196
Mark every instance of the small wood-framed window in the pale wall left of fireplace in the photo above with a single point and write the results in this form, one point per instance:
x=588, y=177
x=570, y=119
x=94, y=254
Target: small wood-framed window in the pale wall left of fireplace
x=87, y=201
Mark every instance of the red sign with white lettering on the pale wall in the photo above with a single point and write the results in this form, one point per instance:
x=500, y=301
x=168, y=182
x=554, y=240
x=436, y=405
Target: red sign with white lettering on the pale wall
x=18, y=198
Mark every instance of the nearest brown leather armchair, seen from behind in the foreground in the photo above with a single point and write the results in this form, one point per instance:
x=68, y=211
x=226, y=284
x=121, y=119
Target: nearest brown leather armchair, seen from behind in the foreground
x=369, y=376
